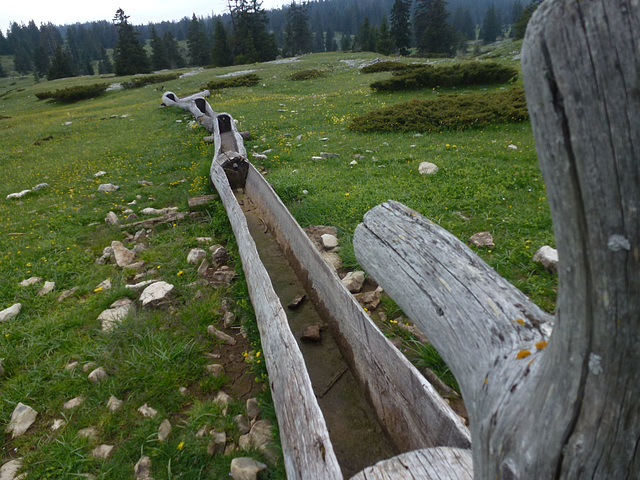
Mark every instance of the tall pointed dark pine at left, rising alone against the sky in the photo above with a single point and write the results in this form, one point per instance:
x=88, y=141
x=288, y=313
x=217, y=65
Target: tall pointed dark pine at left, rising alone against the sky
x=129, y=55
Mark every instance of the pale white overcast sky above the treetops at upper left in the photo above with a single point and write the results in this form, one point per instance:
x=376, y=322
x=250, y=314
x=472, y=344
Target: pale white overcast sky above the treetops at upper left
x=140, y=11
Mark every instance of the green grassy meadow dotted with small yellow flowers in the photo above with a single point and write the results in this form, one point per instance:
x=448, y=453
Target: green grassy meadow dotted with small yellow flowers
x=57, y=233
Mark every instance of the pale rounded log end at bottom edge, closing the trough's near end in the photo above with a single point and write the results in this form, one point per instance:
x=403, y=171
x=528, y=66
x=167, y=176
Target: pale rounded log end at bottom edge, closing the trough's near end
x=441, y=463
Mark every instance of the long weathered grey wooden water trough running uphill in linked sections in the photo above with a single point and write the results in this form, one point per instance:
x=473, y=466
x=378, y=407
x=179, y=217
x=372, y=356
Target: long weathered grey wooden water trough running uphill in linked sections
x=411, y=413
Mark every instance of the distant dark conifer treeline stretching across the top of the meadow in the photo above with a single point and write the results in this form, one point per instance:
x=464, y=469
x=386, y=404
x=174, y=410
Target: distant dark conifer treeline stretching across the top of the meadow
x=301, y=27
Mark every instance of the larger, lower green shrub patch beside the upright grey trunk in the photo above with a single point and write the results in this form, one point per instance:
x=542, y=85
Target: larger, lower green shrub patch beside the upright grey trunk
x=455, y=112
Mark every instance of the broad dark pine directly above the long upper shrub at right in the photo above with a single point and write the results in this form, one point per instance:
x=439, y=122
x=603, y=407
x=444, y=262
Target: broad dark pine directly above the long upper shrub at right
x=434, y=35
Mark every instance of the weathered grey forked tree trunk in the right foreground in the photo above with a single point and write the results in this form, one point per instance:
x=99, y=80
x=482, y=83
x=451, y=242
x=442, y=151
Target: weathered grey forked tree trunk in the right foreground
x=570, y=411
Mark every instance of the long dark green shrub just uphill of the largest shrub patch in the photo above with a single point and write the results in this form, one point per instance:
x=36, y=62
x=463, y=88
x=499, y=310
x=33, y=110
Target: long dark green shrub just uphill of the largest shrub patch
x=458, y=75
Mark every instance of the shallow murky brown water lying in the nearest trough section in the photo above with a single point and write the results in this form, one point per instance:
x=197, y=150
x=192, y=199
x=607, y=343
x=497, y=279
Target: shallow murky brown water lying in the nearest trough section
x=355, y=433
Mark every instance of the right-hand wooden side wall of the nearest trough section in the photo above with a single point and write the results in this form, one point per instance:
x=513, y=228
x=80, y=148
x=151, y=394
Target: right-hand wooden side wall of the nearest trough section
x=408, y=407
